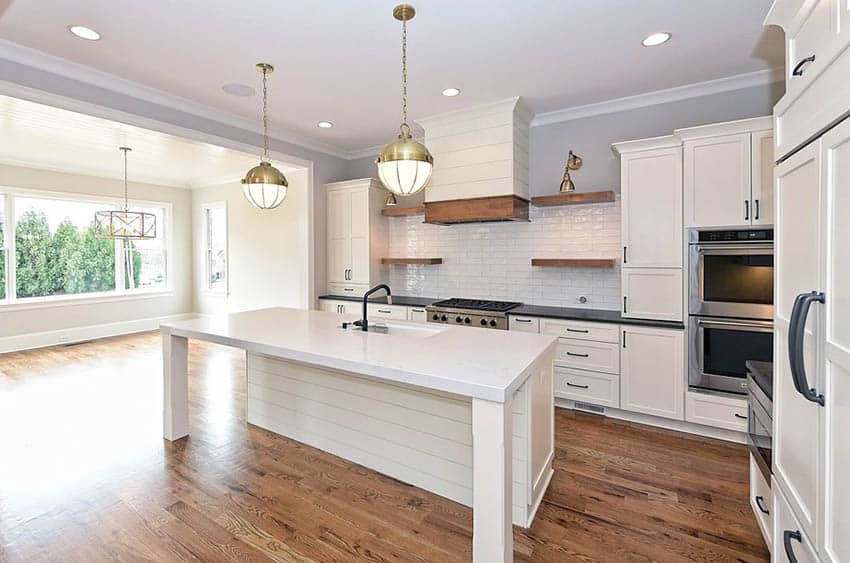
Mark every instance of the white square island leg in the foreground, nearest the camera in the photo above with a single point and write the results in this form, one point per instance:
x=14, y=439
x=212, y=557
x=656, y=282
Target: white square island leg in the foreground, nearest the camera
x=492, y=436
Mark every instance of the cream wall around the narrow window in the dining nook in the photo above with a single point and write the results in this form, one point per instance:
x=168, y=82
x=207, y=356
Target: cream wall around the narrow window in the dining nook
x=268, y=250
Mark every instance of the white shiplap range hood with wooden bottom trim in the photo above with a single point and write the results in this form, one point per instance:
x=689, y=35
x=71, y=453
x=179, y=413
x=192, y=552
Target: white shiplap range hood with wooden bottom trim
x=480, y=164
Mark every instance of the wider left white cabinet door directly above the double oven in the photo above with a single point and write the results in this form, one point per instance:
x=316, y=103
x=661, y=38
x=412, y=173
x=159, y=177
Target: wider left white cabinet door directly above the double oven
x=717, y=181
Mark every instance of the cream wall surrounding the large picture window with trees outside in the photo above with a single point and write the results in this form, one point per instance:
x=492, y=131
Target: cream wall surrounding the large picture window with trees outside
x=59, y=317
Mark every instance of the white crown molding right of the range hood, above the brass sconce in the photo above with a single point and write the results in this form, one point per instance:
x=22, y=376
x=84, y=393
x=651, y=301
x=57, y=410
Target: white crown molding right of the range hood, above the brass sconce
x=697, y=89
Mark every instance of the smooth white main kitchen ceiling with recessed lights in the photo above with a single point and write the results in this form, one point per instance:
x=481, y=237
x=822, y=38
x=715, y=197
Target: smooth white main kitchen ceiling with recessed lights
x=338, y=60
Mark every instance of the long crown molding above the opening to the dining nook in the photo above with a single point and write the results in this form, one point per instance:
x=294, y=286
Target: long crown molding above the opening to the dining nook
x=51, y=64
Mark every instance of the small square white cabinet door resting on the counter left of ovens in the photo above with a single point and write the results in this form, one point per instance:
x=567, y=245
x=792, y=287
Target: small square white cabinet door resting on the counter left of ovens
x=652, y=293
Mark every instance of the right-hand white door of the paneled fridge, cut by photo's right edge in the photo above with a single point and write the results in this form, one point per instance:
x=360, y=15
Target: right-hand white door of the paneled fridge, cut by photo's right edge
x=837, y=346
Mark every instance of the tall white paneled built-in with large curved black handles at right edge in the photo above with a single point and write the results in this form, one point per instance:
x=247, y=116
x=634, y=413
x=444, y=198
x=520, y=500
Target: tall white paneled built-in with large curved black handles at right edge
x=811, y=433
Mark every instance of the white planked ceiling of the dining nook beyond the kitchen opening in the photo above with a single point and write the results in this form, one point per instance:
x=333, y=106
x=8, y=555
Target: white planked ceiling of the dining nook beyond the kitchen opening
x=40, y=136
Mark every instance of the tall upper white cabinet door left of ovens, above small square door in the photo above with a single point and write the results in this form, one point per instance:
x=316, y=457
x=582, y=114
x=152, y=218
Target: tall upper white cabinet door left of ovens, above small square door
x=651, y=183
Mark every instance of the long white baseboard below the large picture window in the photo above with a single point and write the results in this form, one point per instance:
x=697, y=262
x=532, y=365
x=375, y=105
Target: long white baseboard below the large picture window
x=82, y=333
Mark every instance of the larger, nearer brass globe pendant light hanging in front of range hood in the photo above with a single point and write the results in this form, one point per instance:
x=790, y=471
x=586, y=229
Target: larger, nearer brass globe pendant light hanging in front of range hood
x=404, y=165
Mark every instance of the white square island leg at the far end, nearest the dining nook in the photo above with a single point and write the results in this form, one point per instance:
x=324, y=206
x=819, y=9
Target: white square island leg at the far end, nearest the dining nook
x=175, y=386
